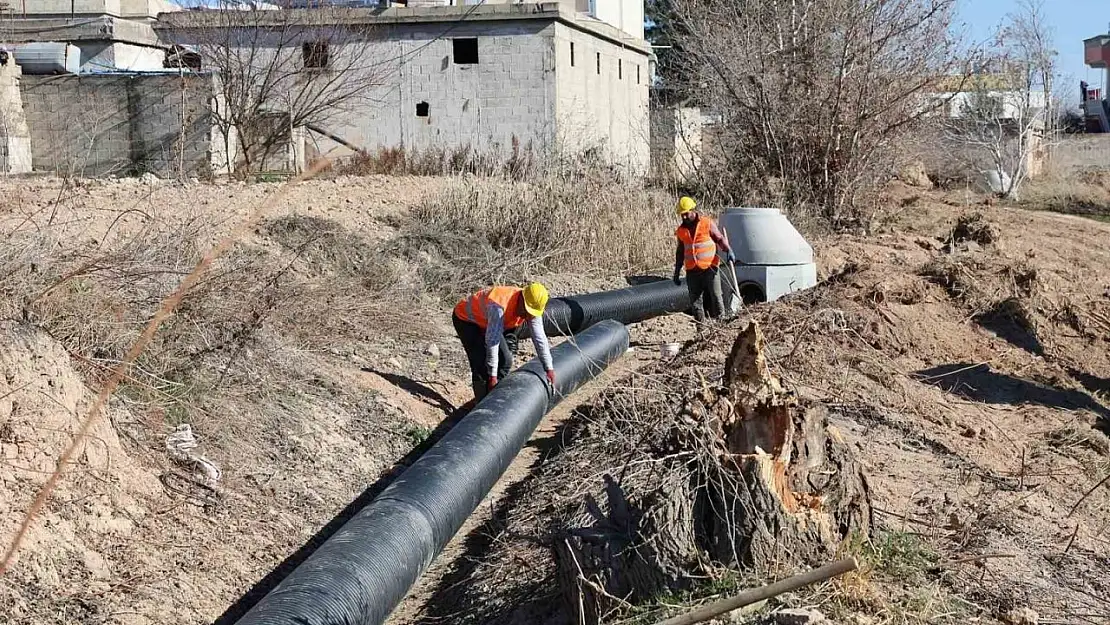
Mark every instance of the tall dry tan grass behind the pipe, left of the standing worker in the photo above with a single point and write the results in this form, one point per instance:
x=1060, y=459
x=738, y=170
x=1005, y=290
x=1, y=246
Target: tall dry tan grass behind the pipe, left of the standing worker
x=481, y=234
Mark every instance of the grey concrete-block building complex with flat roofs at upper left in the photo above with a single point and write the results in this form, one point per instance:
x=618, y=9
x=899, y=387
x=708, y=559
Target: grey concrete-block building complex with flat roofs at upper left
x=566, y=77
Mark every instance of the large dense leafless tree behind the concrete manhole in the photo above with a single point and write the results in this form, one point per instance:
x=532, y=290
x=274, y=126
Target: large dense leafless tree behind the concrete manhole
x=814, y=95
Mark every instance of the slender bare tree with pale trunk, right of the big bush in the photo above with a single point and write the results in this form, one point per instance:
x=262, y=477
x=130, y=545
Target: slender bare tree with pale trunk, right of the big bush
x=1007, y=118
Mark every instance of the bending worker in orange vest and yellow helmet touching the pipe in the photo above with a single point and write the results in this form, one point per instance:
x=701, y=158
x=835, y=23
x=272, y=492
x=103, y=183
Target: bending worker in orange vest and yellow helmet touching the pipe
x=489, y=325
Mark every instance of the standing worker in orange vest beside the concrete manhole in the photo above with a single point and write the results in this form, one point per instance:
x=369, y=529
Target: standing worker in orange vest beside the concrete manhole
x=699, y=240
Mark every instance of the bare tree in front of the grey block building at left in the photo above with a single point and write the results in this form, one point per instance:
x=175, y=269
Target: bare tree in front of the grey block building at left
x=280, y=70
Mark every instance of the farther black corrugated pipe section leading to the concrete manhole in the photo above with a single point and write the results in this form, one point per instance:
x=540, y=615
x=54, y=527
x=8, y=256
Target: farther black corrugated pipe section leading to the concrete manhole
x=574, y=314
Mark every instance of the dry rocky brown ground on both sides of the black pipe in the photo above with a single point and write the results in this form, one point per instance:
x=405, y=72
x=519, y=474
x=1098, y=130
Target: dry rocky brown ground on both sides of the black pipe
x=968, y=372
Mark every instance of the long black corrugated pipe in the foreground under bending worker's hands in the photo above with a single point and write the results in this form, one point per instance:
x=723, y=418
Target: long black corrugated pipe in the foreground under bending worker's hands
x=360, y=574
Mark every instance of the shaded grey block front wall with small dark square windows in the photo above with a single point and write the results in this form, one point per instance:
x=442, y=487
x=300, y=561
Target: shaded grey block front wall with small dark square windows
x=508, y=95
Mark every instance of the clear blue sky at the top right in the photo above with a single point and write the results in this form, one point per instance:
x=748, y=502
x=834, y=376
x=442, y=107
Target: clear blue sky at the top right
x=1072, y=21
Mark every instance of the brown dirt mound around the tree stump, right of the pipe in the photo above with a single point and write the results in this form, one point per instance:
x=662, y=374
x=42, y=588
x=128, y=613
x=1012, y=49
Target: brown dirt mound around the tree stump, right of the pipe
x=981, y=453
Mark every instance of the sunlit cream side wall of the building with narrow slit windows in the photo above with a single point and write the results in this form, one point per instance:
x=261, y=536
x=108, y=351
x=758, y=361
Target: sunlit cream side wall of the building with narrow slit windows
x=603, y=98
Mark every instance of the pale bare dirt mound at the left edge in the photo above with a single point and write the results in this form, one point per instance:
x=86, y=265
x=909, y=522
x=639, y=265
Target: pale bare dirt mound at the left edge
x=75, y=547
